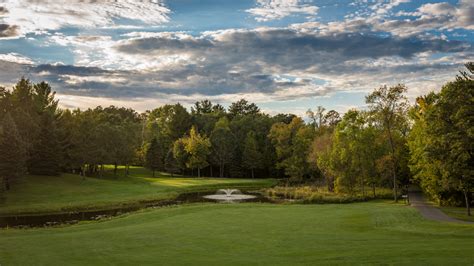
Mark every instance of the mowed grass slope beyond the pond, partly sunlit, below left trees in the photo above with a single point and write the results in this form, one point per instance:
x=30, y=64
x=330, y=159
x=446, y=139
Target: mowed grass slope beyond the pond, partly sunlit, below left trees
x=46, y=194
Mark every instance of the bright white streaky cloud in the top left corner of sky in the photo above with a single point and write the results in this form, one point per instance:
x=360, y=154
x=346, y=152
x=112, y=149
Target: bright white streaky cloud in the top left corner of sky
x=38, y=15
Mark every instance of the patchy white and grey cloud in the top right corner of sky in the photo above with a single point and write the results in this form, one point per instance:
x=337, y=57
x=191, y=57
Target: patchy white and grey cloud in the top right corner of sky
x=428, y=17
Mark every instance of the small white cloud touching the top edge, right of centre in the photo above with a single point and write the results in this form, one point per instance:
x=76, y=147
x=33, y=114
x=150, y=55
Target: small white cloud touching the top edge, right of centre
x=267, y=10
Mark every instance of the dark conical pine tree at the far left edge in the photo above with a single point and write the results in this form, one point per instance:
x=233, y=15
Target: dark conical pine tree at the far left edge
x=12, y=152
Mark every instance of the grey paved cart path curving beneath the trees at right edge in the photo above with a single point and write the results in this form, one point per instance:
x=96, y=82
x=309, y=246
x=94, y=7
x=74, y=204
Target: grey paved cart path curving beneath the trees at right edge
x=429, y=211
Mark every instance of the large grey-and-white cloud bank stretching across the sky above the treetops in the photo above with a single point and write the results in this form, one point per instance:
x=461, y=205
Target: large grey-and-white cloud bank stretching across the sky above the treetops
x=263, y=64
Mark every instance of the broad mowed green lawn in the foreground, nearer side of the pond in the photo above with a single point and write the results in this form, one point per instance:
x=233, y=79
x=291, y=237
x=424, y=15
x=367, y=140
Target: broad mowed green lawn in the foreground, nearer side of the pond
x=379, y=233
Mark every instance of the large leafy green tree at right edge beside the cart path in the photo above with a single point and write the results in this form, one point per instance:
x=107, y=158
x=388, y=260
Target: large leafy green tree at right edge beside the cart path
x=441, y=156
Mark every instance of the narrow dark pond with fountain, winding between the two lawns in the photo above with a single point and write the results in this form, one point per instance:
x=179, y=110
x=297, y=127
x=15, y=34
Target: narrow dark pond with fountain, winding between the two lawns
x=43, y=220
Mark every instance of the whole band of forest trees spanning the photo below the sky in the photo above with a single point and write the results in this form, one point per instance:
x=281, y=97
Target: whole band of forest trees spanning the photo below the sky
x=390, y=143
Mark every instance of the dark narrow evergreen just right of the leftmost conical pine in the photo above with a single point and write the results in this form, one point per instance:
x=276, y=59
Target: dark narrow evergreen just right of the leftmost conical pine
x=45, y=157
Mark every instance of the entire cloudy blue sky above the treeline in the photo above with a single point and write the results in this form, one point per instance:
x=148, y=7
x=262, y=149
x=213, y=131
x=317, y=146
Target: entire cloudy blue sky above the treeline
x=285, y=55
